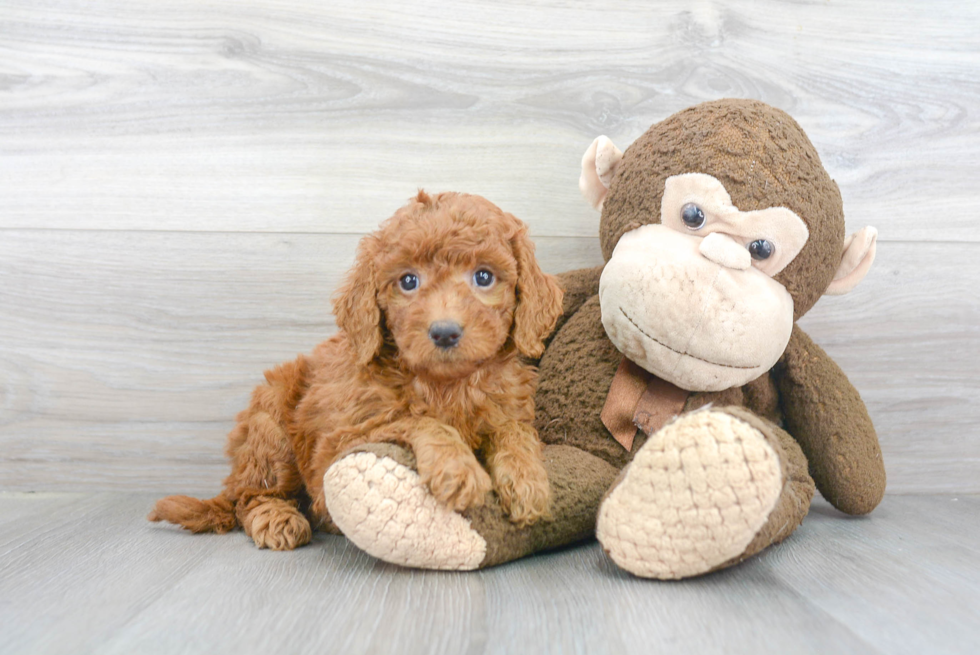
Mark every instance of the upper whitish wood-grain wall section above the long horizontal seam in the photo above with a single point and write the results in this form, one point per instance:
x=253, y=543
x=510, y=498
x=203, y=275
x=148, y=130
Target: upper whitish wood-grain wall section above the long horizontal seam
x=315, y=117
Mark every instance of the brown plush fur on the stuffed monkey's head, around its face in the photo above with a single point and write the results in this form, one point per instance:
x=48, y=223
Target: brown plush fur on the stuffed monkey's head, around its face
x=763, y=158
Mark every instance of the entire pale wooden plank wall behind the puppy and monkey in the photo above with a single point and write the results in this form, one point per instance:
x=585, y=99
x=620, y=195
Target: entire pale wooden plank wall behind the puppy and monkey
x=182, y=184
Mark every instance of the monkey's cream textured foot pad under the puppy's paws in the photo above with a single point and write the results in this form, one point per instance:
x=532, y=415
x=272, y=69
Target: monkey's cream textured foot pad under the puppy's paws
x=383, y=507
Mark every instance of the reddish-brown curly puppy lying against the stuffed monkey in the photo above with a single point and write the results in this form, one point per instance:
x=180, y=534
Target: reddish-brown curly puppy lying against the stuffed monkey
x=441, y=303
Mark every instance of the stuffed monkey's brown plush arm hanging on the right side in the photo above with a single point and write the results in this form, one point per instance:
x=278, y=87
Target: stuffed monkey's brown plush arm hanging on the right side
x=826, y=415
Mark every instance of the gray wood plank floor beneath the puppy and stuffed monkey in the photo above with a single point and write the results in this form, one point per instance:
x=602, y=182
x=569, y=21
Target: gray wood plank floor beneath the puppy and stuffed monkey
x=85, y=573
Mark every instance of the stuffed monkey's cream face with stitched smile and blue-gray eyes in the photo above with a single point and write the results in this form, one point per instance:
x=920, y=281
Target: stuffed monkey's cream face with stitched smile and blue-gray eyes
x=692, y=299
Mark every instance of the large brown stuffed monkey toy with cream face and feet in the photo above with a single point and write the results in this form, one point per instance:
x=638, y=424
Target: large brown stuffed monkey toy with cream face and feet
x=687, y=418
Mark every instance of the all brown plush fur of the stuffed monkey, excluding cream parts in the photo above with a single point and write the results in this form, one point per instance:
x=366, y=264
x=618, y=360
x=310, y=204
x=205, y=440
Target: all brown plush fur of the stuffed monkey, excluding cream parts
x=805, y=408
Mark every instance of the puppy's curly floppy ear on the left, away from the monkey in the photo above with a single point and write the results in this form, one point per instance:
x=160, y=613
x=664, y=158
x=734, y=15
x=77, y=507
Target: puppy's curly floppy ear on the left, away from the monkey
x=356, y=303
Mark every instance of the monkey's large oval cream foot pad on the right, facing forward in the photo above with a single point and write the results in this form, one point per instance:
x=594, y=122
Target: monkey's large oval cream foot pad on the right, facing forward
x=693, y=498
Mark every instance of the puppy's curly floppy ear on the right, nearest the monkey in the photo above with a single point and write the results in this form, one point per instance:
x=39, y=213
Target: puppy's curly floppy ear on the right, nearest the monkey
x=538, y=298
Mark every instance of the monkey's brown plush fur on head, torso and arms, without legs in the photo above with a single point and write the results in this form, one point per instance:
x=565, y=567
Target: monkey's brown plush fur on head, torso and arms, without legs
x=764, y=159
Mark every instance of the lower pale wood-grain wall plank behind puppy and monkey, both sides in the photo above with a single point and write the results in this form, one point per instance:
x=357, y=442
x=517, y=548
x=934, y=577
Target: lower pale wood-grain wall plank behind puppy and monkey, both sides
x=125, y=355
